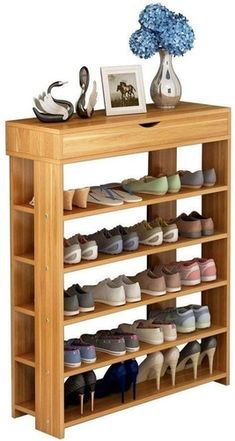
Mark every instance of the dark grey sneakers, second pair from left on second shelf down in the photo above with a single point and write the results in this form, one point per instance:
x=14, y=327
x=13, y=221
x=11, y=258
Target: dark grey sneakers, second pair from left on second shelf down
x=107, y=243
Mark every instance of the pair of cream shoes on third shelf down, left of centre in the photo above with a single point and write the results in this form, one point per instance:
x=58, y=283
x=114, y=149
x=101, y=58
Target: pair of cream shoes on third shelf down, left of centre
x=116, y=292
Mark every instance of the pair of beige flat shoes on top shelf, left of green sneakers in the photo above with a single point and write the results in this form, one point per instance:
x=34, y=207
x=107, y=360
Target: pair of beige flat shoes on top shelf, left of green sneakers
x=111, y=196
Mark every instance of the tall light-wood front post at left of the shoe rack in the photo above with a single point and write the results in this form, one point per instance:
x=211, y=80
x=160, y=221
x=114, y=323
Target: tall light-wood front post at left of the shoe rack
x=49, y=298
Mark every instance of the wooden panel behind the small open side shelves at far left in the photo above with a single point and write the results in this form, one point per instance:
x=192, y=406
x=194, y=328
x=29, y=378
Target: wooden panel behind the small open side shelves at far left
x=22, y=327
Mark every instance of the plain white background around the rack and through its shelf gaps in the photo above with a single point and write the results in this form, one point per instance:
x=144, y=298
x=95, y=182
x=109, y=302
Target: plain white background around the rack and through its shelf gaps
x=45, y=41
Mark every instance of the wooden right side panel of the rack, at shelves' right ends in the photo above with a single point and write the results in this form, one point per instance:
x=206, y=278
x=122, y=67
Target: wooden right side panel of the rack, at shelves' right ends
x=218, y=155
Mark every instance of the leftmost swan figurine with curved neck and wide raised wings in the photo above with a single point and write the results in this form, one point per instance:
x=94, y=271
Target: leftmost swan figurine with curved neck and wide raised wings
x=49, y=109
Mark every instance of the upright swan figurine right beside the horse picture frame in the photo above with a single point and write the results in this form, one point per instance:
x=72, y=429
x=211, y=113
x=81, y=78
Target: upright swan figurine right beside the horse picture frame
x=84, y=78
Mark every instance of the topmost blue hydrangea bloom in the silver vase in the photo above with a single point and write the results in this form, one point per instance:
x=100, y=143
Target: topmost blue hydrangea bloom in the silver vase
x=155, y=17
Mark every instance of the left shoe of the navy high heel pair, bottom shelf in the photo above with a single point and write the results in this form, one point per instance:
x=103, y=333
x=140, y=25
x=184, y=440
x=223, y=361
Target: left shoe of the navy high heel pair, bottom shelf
x=113, y=381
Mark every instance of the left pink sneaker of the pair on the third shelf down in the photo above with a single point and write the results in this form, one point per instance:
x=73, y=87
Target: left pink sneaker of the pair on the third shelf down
x=189, y=272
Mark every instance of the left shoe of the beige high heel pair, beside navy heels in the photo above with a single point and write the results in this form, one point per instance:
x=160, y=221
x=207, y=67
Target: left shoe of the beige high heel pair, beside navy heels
x=151, y=368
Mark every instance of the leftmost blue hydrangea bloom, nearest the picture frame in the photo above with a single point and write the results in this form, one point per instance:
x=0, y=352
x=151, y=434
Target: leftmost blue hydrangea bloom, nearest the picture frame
x=143, y=43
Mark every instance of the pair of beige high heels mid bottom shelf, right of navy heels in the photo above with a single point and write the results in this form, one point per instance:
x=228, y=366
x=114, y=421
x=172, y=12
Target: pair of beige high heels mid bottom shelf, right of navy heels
x=156, y=365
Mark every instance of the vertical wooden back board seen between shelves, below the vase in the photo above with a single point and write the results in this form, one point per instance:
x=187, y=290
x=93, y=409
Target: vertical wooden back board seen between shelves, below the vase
x=163, y=161
